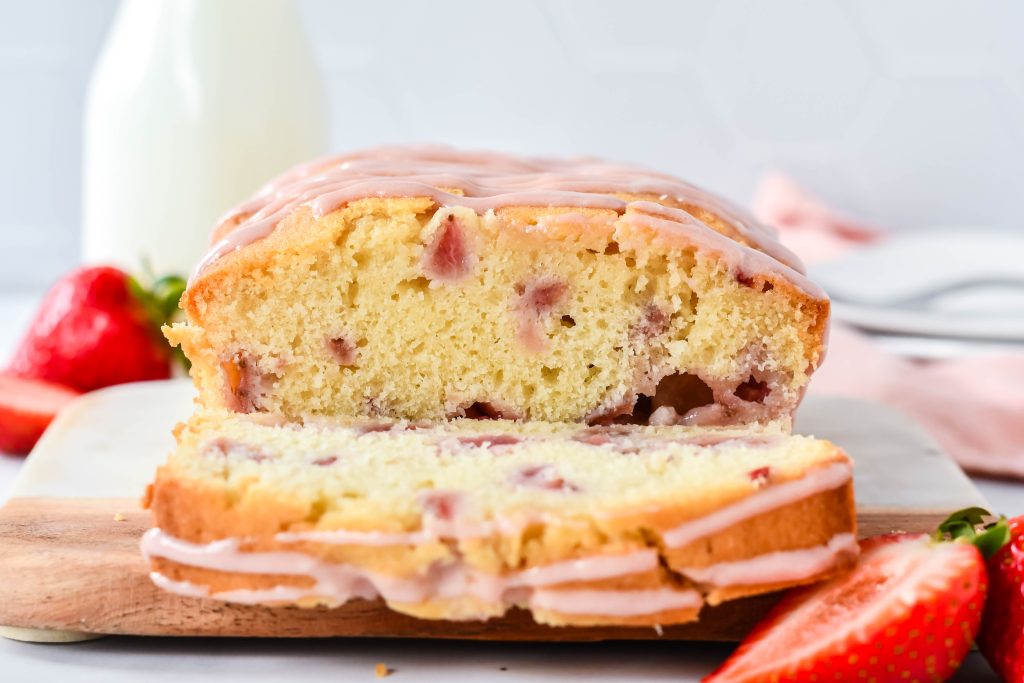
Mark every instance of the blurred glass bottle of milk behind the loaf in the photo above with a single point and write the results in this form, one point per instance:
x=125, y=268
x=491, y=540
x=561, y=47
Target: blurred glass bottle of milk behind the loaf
x=193, y=106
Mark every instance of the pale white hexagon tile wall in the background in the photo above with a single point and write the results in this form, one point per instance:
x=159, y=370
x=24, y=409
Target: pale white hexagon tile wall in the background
x=907, y=114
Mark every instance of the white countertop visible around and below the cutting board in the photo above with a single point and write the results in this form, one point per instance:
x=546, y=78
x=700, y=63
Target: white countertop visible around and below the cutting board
x=123, y=659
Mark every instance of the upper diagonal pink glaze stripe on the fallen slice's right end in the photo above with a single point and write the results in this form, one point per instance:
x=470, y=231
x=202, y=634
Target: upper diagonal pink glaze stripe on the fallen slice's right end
x=766, y=499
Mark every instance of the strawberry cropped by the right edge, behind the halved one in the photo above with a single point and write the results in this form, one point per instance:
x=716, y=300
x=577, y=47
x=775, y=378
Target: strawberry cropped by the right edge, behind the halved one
x=1002, y=637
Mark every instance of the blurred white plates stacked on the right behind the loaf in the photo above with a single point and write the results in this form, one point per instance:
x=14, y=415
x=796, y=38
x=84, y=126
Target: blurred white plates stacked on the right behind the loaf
x=965, y=283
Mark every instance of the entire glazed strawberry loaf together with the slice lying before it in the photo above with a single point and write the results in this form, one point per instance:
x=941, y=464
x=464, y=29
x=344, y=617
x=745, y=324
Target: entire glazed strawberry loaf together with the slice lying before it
x=637, y=347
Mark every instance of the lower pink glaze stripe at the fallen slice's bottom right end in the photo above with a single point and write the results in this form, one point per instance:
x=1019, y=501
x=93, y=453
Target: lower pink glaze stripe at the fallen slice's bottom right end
x=784, y=566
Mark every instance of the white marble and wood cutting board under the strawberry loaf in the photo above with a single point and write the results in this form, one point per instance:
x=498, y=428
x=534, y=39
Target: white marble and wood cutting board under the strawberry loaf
x=69, y=537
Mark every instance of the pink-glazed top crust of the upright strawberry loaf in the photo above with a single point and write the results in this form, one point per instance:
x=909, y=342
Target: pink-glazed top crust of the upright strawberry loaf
x=489, y=182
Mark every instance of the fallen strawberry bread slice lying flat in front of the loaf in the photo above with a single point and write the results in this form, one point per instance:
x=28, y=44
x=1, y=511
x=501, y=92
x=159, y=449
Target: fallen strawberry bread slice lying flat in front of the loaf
x=467, y=519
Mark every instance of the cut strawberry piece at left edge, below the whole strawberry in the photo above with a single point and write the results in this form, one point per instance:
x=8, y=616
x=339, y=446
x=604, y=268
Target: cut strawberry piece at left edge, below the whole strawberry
x=27, y=408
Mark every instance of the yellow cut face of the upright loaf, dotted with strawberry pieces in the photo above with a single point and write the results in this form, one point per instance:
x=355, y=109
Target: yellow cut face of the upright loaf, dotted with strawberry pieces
x=401, y=309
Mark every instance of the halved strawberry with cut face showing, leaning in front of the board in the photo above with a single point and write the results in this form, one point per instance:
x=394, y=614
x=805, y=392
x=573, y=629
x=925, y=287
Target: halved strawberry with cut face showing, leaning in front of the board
x=910, y=611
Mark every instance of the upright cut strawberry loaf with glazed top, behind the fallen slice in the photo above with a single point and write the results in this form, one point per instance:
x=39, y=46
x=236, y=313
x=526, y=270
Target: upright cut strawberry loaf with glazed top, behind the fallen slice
x=417, y=284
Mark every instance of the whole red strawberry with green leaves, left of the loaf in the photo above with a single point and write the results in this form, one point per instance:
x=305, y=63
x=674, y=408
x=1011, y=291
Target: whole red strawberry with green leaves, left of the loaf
x=97, y=327
